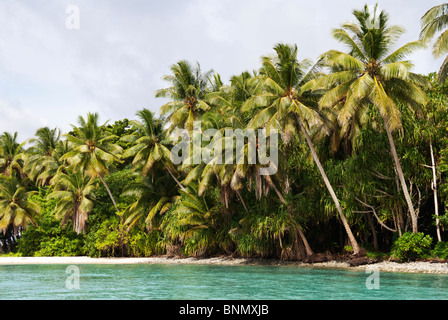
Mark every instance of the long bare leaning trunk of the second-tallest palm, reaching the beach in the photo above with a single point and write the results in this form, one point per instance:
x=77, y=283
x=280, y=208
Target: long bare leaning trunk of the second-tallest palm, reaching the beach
x=349, y=232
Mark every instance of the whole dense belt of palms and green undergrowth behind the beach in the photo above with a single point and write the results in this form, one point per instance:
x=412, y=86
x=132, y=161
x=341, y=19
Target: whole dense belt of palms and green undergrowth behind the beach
x=362, y=161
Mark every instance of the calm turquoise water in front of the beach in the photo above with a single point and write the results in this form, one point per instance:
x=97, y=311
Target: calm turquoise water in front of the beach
x=207, y=282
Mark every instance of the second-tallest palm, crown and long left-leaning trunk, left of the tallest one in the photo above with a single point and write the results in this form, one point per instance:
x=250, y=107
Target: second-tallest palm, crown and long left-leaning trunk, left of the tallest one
x=288, y=101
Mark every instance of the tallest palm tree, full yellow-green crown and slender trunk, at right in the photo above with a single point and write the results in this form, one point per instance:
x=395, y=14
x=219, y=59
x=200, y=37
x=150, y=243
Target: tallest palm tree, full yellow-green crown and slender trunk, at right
x=371, y=75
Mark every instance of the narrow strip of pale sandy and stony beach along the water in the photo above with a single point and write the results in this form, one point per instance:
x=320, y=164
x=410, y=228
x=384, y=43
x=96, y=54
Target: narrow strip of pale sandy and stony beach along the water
x=383, y=266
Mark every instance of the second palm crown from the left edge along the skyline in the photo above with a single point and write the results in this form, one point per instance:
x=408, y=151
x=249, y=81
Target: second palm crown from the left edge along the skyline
x=40, y=158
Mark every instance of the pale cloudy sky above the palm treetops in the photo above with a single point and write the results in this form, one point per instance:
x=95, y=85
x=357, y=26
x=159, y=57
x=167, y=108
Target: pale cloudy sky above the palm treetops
x=109, y=56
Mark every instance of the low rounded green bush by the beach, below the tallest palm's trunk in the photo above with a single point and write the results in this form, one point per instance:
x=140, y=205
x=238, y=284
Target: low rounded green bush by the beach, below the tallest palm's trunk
x=411, y=246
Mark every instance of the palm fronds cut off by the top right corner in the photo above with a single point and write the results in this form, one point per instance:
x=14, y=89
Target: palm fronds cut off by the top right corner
x=433, y=21
